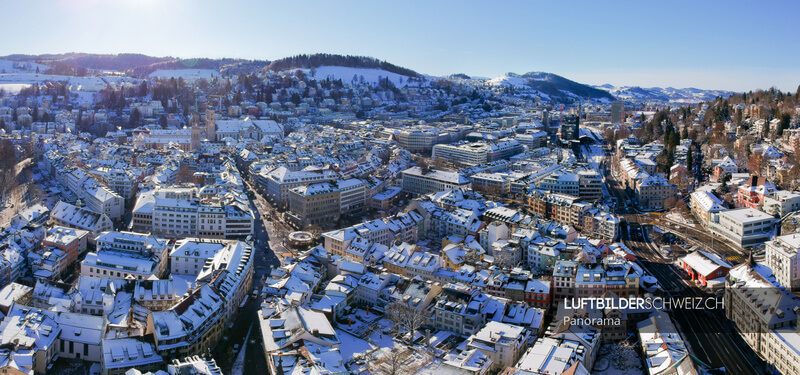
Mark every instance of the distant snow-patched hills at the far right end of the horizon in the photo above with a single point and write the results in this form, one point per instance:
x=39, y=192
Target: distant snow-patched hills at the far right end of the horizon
x=663, y=95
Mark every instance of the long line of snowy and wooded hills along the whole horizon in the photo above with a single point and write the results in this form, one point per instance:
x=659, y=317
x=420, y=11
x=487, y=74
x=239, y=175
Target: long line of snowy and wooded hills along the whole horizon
x=547, y=85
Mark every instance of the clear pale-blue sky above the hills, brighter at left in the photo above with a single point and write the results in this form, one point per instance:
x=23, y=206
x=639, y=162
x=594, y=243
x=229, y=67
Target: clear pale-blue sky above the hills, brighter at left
x=728, y=45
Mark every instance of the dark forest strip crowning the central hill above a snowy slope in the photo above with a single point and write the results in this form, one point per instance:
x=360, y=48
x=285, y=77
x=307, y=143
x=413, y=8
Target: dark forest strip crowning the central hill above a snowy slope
x=324, y=59
